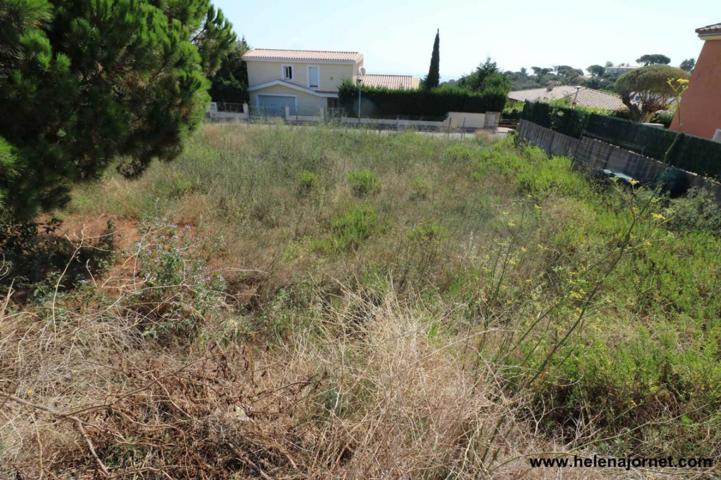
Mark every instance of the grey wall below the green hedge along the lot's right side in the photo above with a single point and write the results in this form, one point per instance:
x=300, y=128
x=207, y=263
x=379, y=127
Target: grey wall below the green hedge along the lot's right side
x=592, y=155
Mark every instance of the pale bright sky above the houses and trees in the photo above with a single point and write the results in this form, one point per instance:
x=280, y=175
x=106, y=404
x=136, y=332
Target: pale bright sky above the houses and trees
x=396, y=37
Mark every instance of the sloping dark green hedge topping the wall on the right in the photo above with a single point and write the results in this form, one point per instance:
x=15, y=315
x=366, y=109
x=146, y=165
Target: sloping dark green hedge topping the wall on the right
x=693, y=154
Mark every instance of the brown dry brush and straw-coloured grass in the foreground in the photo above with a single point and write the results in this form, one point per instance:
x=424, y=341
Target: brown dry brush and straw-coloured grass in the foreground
x=88, y=390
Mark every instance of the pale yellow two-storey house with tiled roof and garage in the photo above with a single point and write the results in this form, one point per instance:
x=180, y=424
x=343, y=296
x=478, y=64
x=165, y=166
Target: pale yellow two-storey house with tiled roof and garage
x=307, y=81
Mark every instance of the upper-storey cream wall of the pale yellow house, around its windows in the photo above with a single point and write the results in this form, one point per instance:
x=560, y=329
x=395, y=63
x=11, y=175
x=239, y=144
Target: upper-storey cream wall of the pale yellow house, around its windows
x=331, y=75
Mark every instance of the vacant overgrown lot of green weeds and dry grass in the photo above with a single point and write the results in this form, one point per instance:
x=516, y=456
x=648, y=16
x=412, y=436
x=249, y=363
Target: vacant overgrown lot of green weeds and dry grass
x=299, y=302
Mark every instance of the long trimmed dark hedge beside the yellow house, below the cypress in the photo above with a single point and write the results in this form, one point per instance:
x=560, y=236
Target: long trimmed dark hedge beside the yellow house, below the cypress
x=434, y=103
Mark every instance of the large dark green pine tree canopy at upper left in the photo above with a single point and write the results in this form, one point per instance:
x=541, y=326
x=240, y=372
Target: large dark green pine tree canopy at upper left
x=83, y=82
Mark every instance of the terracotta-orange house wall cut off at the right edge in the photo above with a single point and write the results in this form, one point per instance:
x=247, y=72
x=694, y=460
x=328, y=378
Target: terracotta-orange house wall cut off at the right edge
x=700, y=112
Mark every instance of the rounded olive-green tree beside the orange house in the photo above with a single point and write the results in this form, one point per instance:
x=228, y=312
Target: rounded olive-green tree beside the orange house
x=648, y=89
